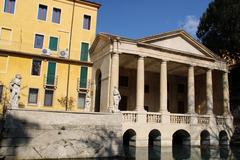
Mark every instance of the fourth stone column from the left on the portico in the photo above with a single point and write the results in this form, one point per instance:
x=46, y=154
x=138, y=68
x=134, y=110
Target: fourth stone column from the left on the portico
x=191, y=90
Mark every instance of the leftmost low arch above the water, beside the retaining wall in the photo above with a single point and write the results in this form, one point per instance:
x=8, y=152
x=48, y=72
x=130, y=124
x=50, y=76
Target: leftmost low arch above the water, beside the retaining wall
x=129, y=138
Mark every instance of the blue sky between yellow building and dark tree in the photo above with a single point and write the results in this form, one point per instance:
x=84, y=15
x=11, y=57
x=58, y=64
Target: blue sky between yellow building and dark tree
x=139, y=18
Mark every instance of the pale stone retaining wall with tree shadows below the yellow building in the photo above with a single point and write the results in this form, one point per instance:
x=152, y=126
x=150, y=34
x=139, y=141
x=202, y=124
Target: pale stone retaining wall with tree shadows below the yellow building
x=32, y=134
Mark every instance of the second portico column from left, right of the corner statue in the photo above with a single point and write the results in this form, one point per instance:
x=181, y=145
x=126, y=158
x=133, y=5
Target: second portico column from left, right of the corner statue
x=140, y=84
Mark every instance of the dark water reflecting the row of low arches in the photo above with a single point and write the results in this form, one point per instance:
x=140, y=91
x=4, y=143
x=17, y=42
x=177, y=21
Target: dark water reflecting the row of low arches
x=178, y=152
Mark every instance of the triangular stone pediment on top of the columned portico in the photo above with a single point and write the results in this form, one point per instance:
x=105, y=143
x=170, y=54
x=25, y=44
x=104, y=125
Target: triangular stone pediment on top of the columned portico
x=179, y=41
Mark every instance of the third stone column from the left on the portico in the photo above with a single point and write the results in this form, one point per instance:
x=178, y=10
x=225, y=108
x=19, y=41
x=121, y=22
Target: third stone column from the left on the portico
x=163, y=87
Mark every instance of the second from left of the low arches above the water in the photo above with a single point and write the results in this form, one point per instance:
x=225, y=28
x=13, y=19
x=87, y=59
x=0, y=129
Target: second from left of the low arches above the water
x=154, y=138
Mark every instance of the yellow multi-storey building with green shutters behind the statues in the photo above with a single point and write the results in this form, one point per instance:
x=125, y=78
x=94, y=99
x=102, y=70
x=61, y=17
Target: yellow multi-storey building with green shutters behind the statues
x=47, y=42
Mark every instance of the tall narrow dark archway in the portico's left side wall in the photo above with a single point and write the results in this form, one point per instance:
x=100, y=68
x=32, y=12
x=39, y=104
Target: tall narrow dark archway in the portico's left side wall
x=98, y=77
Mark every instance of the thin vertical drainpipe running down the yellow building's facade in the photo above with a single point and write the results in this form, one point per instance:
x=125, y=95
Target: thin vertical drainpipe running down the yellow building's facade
x=70, y=44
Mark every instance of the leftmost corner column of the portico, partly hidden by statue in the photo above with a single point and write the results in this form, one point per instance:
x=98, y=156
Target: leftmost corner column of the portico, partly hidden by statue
x=114, y=76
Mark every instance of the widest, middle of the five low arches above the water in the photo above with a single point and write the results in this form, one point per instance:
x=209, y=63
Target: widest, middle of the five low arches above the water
x=181, y=137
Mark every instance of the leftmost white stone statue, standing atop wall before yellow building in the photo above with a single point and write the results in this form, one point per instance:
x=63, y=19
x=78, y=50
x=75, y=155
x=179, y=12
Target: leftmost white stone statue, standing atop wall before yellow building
x=14, y=87
